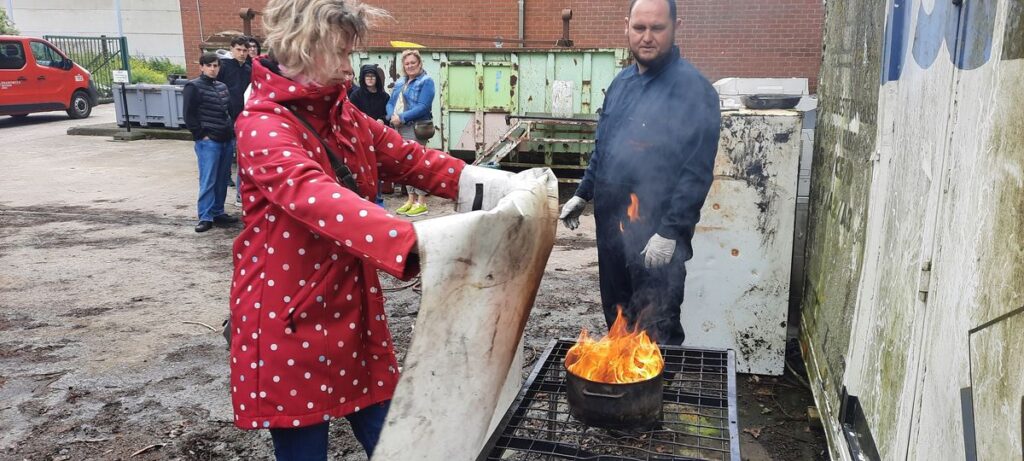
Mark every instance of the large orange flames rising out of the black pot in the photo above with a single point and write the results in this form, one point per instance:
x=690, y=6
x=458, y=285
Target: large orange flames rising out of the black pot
x=620, y=358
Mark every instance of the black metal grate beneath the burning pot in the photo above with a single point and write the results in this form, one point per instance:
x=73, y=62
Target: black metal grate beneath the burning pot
x=699, y=421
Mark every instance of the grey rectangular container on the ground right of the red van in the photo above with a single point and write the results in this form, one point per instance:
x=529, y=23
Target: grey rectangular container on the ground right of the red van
x=150, y=106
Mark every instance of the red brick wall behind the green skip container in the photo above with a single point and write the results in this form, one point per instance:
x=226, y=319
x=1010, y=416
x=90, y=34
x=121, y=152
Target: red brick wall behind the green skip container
x=723, y=38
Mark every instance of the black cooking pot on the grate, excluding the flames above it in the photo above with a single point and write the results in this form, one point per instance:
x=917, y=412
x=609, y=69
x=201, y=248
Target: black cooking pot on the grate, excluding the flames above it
x=634, y=406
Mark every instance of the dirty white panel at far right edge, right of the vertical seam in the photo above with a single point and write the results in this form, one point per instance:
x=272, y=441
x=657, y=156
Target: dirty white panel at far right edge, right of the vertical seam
x=978, y=269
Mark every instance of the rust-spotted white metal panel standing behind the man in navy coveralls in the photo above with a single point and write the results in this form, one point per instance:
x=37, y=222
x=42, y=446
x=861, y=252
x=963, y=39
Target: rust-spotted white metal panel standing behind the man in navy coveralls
x=738, y=285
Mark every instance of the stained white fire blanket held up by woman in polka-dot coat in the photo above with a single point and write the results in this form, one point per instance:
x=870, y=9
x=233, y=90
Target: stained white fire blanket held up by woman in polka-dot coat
x=481, y=273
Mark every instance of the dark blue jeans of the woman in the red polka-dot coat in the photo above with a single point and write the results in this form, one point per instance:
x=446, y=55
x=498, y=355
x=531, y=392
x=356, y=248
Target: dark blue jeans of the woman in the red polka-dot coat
x=310, y=444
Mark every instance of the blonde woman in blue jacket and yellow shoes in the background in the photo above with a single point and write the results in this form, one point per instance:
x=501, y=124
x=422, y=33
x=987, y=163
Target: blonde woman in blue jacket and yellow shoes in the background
x=409, y=112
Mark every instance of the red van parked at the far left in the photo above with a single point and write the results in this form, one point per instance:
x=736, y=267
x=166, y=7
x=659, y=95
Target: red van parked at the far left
x=35, y=76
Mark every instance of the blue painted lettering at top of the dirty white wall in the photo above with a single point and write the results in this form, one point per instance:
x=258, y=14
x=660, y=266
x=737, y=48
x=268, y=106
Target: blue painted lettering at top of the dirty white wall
x=937, y=29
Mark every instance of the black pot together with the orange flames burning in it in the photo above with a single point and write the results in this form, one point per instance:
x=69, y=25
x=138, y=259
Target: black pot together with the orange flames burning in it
x=616, y=383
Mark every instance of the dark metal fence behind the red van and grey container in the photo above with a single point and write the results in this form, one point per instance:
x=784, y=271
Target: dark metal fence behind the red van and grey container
x=100, y=56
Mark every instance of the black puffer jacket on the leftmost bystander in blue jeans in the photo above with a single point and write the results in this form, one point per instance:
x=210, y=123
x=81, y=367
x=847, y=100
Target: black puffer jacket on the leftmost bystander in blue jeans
x=206, y=105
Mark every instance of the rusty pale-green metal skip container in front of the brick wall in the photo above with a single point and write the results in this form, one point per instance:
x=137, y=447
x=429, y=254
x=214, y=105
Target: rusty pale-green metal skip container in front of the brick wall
x=477, y=90
